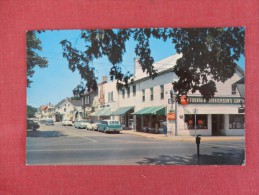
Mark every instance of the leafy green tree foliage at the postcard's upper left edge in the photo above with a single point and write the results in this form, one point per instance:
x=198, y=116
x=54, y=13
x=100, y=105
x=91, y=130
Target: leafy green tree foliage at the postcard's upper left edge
x=33, y=59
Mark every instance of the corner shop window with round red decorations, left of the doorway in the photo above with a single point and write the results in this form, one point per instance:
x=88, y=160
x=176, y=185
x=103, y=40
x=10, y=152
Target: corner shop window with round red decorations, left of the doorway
x=201, y=121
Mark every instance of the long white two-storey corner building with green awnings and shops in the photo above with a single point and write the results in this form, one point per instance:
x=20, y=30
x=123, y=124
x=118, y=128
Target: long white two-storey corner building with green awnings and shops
x=145, y=104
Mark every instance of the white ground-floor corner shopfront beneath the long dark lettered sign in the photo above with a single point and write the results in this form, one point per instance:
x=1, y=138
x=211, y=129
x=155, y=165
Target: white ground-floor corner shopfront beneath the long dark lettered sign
x=217, y=117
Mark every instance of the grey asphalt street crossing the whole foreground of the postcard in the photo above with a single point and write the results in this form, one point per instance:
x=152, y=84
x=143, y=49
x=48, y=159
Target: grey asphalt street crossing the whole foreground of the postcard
x=59, y=145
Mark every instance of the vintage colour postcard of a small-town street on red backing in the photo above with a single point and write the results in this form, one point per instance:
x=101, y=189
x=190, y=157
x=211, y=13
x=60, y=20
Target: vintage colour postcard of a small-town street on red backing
x=156, y=96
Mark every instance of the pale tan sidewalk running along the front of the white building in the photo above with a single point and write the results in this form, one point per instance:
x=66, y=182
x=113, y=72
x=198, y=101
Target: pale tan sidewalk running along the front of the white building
x=171, y=137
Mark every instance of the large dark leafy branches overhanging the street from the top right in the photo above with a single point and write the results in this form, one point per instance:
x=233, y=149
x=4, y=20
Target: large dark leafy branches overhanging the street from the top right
x=208, y=55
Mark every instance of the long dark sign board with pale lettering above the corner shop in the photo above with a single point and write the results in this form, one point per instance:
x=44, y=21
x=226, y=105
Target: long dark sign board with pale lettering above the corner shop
x=215, y=100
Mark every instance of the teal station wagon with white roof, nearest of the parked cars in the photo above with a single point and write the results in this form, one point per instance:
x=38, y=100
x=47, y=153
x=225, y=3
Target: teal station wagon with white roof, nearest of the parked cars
x=109, y=126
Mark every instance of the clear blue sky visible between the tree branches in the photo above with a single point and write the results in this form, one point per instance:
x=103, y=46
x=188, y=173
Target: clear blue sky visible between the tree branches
x=56, y=82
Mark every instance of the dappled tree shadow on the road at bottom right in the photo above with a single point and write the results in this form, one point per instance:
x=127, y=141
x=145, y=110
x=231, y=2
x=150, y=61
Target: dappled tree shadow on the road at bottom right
x=216, y=158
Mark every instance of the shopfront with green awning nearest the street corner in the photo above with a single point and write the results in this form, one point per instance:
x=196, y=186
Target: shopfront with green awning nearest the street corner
x=149, y=119
